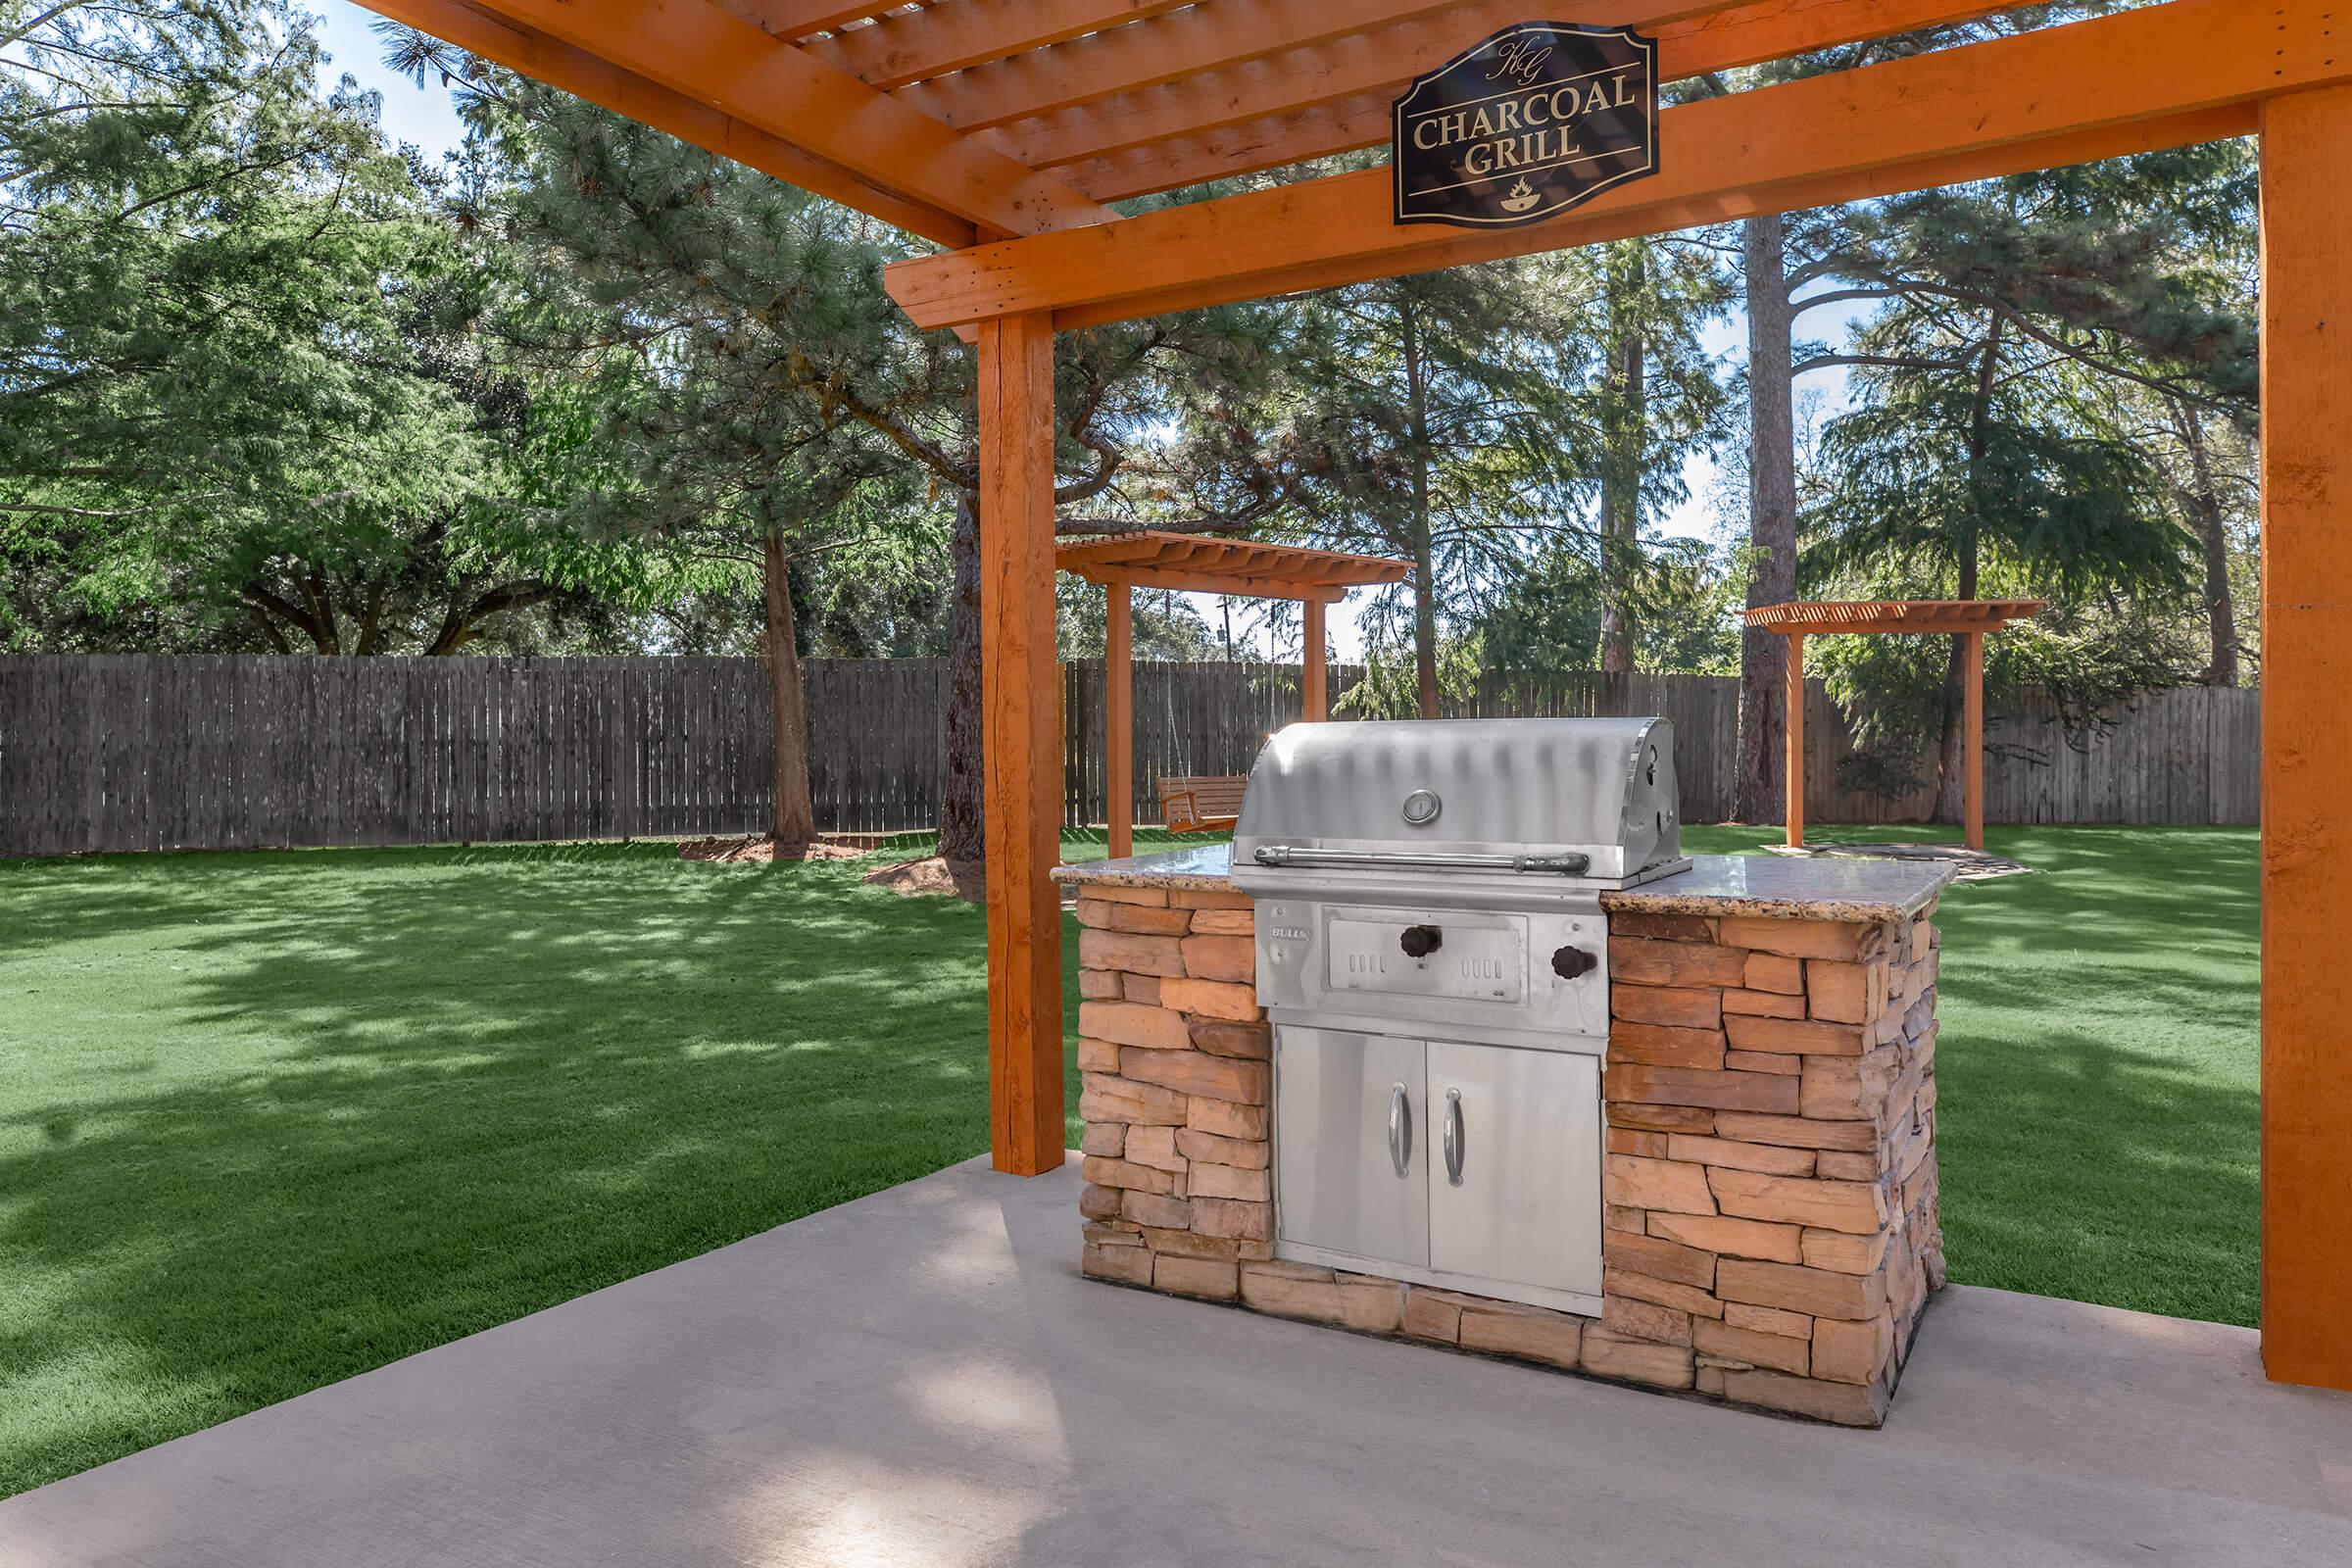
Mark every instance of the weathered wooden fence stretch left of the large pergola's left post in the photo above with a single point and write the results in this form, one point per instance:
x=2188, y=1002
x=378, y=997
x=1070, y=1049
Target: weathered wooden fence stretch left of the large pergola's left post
x=105, y=753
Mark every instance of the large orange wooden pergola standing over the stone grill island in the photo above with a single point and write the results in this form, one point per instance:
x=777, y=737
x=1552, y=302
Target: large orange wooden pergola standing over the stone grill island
x=1003, y=128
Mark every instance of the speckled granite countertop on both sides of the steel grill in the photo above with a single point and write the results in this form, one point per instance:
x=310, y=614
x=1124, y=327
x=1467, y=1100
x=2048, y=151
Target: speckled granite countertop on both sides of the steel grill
x=1763, y=887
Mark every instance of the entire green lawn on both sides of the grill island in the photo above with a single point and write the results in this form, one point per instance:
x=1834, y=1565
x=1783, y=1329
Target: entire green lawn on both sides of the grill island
x=269, y=1120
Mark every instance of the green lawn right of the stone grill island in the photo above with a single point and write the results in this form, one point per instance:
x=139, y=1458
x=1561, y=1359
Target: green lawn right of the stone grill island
x=2097, y=1066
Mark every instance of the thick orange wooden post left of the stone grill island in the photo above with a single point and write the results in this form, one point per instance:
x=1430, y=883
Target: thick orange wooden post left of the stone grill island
x=1024, y=744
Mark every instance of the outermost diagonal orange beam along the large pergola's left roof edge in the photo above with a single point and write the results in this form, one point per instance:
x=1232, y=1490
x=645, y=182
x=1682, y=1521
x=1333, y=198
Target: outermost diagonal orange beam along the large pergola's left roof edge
x=599, y=81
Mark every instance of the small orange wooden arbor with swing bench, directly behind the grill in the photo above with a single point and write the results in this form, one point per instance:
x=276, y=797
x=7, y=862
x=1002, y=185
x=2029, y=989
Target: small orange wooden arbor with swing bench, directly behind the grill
x=1201, y=563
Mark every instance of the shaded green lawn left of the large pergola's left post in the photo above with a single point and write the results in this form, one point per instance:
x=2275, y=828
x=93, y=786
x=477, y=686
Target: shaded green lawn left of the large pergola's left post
x=274, y=1120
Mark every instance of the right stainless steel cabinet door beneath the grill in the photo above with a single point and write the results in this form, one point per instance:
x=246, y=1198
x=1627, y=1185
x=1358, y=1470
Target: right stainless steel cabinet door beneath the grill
x=1528, y=1148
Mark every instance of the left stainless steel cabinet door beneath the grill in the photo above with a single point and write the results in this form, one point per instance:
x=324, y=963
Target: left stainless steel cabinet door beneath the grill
x=1344, y=1181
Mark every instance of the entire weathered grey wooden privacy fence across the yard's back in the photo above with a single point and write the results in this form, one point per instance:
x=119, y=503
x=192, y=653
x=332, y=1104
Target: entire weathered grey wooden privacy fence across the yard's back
x=114, y=753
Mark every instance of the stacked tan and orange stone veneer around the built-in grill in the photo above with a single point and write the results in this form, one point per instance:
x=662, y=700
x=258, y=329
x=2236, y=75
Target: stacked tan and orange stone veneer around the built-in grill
x=1770, y=1179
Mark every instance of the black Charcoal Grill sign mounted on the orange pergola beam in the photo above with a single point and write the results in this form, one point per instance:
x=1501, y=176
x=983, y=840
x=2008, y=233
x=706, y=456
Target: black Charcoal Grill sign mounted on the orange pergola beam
x=1525, y=126
